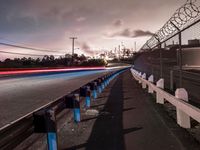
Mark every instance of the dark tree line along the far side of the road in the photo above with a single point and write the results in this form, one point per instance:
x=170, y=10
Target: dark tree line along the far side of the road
x=51, y=61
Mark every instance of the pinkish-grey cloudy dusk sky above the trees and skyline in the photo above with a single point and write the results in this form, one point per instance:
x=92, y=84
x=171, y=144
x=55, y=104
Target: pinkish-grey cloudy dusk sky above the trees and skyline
x=98, y=24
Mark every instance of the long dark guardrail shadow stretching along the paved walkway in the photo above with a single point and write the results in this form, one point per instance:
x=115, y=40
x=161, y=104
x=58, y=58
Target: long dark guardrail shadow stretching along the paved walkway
x=108, y=132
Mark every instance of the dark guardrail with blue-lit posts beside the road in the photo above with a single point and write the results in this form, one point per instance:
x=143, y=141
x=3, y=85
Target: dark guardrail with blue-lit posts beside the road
x=43, y=120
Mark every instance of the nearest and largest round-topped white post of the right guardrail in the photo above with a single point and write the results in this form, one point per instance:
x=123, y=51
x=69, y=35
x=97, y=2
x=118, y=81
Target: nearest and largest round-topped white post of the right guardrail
x=182, y=118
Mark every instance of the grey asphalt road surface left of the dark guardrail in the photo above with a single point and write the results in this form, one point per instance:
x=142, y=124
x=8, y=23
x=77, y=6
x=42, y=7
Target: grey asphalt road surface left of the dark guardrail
x=21, y=95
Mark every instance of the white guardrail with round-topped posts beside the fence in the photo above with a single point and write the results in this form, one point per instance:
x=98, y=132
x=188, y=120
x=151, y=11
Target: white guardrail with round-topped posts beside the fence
x=184, y=110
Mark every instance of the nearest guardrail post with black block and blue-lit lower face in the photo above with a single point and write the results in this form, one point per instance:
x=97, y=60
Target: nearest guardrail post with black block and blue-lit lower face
x=45, y=122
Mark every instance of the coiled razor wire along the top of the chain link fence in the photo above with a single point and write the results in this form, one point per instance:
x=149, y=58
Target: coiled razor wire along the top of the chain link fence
x=183, y=17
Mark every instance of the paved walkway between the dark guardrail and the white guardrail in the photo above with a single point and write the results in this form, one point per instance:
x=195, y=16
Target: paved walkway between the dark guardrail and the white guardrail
x=127, y=120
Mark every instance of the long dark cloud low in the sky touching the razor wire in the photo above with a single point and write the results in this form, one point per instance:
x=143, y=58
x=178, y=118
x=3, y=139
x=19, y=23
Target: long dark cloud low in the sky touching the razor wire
x=130, y=33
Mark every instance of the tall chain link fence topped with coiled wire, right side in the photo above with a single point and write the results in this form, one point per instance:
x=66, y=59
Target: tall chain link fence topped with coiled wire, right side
x=173, y=53
